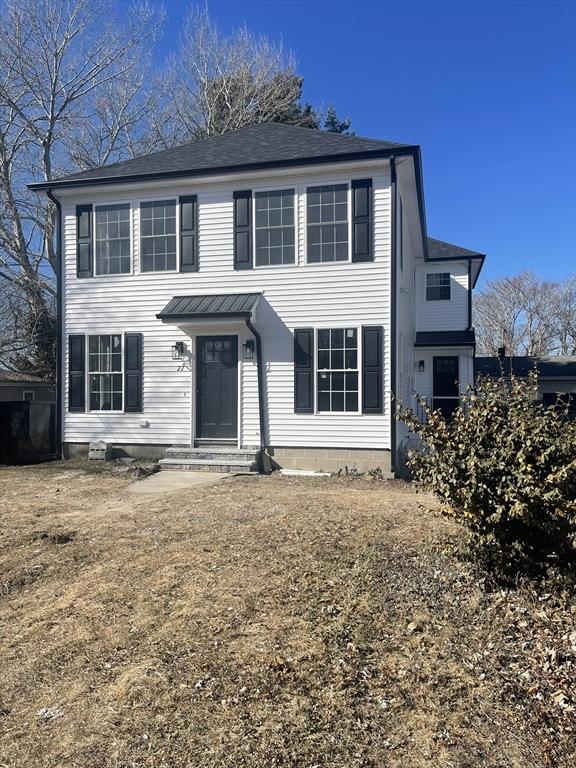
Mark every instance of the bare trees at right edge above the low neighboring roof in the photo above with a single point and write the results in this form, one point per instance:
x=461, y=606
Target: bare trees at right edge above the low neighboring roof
x=526, y=315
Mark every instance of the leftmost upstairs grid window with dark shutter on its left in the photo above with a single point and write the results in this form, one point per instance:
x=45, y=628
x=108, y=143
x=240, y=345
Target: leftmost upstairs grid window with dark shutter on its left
x=113, y=239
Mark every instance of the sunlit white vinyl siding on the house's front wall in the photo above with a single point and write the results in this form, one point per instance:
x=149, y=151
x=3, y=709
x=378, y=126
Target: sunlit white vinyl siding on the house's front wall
x=328, y=296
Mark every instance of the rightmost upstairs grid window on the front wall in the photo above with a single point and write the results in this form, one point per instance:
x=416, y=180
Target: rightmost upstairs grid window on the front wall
x=327, y=223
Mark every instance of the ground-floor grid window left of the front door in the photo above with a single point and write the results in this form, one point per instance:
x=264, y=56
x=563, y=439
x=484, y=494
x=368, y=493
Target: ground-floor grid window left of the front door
x=105, y=374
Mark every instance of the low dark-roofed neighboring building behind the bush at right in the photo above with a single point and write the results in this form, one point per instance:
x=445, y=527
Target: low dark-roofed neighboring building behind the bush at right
x=556, y=375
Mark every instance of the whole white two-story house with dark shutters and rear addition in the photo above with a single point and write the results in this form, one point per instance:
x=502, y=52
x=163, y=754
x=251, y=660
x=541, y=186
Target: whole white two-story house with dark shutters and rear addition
x=273, y=287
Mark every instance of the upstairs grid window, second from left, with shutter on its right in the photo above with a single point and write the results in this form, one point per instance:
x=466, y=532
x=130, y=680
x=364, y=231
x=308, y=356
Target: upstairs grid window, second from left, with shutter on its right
x=158, y=236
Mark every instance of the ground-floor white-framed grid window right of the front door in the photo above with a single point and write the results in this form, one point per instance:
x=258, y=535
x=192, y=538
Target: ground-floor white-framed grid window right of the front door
x=337, y=370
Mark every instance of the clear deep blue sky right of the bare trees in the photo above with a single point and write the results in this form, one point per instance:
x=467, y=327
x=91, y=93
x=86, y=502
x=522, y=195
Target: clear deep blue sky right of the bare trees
x=488, y=90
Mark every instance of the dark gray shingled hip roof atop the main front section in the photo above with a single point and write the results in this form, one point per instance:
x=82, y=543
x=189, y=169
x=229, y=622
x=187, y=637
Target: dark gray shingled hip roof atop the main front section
x=255, y=145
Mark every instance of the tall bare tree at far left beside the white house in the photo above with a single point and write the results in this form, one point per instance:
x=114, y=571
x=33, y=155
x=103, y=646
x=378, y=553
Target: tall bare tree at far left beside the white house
x=70, y=95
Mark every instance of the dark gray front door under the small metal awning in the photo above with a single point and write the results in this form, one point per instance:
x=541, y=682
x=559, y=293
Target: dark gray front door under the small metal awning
x=217, y=386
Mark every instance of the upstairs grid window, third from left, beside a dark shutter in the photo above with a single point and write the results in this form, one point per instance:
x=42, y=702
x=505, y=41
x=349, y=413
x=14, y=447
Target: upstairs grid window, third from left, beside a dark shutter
x=274, y=225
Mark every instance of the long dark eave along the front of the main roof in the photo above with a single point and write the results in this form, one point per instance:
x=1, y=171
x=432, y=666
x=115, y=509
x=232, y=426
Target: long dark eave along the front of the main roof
x=190, y=173
